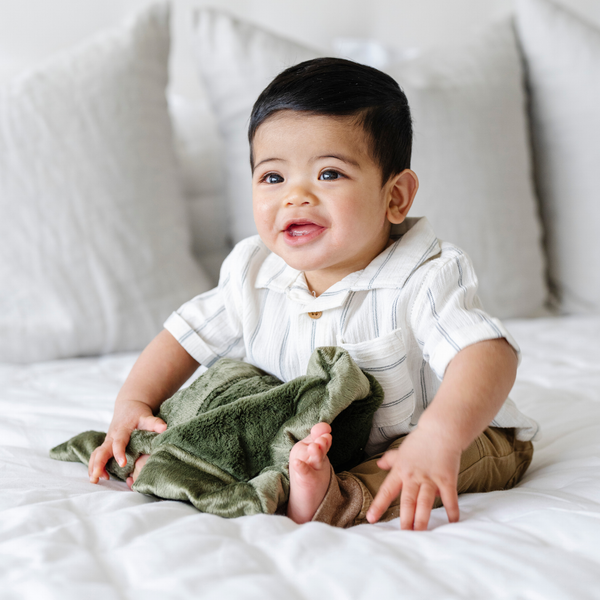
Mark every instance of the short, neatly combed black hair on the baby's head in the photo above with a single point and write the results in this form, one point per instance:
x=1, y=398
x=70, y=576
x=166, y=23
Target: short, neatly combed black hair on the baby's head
x=339, y=87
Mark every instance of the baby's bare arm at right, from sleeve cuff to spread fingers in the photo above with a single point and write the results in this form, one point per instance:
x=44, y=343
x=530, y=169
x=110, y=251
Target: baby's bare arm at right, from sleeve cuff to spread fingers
x=475, y=385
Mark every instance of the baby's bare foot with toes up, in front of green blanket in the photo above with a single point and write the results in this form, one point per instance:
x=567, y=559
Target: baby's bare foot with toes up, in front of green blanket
x=310, y=472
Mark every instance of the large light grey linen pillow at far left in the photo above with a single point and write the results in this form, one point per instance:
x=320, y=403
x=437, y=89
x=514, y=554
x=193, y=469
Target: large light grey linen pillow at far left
x=94, y=247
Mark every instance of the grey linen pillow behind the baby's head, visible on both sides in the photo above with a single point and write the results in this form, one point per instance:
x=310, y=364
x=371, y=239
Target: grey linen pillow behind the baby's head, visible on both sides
x=471, y=151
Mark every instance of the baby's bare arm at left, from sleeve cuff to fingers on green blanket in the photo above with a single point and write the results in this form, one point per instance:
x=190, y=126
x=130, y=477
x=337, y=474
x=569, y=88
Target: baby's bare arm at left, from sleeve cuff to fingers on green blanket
x=158, y=373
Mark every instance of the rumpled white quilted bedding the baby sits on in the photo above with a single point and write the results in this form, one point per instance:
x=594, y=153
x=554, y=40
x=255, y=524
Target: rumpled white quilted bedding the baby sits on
x=62, y=537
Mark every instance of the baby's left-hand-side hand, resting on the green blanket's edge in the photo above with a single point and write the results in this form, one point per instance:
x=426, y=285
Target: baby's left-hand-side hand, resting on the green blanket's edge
x=129, y=415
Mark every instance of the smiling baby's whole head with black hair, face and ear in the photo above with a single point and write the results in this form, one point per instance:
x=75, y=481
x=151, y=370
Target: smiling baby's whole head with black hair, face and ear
x=330, y=145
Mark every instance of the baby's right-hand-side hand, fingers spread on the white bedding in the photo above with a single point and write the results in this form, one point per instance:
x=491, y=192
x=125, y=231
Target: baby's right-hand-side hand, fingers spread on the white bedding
x=424, y=466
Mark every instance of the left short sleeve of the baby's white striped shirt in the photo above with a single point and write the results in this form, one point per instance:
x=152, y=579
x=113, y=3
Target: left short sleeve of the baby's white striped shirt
x=209, y=326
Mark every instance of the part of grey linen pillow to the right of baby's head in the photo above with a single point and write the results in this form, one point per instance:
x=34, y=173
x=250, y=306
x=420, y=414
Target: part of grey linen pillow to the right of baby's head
x=472, y=157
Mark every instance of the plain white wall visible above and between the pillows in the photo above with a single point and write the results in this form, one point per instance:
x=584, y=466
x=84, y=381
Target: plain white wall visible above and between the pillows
x=33, y=29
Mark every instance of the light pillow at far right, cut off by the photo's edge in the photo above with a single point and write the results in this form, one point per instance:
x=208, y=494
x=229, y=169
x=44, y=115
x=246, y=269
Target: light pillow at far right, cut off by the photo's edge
x=562, y=56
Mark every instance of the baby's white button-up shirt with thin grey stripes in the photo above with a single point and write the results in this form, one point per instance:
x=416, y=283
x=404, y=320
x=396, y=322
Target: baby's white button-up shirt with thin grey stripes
x=402, y=318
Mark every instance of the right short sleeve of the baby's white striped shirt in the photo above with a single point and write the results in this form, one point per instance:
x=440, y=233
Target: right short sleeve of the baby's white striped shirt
x=447, y=315
